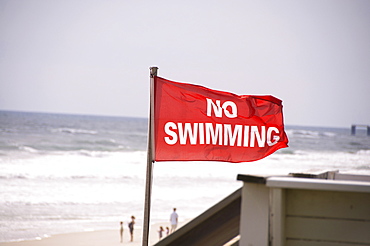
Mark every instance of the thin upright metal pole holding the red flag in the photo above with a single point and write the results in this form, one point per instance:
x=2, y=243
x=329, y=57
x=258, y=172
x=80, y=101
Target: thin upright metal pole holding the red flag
x=150, y=160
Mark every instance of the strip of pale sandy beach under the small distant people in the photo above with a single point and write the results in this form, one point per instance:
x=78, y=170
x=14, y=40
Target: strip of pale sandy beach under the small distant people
x=95, y=238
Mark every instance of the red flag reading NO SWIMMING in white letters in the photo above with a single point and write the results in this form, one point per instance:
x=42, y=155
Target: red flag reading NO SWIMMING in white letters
x=194, y=123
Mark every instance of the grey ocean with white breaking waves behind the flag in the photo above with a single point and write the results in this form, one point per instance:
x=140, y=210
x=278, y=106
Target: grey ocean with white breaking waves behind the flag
x=73, y=173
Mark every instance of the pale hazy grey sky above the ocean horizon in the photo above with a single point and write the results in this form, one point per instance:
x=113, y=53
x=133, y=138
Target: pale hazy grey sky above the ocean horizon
x=93, y=57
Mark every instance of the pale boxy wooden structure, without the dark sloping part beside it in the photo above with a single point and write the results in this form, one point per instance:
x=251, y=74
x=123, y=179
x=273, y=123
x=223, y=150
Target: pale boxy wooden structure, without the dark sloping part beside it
x=292, y=210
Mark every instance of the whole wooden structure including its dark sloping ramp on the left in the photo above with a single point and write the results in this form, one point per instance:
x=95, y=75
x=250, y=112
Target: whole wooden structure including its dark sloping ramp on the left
x=330, y=209
